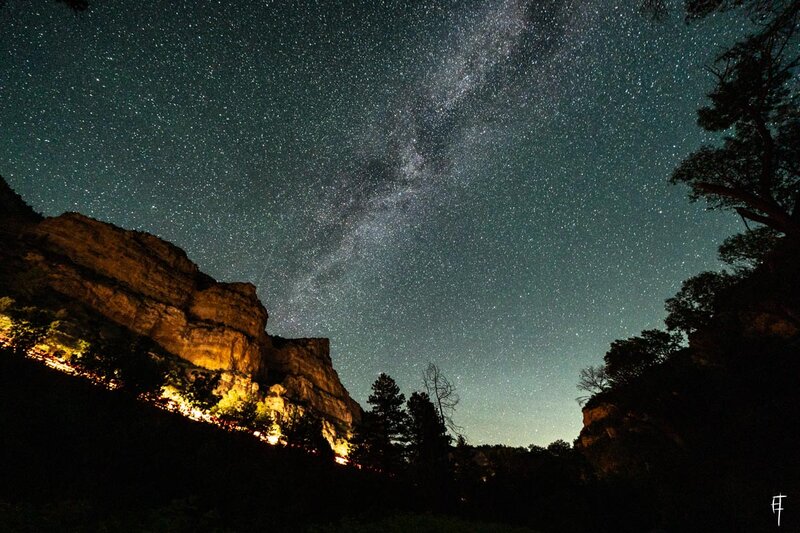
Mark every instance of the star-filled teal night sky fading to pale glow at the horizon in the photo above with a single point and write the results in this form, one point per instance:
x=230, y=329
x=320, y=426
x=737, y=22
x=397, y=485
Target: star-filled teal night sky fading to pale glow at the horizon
x=482, y=185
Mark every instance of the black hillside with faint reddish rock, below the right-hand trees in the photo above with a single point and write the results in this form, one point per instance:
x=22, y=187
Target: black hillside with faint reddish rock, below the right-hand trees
x=709, y=432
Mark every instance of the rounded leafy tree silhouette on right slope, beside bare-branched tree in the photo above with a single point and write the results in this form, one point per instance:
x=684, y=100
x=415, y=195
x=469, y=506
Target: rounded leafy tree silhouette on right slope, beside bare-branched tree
x=627, y=359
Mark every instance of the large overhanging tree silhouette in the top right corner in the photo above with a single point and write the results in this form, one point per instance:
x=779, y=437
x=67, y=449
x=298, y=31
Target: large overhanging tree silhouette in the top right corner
x=756, y=171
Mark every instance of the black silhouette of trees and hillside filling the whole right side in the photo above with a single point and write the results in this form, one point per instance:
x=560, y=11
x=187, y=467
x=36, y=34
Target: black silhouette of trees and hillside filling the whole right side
x=697, y=415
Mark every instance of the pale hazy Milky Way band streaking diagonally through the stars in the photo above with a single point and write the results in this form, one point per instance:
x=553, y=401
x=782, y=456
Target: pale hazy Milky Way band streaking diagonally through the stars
x=410, y=160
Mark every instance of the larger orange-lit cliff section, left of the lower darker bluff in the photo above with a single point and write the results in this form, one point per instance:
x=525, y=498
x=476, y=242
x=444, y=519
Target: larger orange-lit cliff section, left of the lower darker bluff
x=151, y=287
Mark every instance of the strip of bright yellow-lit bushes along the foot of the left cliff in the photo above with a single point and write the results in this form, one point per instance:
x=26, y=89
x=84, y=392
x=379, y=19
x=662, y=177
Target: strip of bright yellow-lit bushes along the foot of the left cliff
x=118, y=359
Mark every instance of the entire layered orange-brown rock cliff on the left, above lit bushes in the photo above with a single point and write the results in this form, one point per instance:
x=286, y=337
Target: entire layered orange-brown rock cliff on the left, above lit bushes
x=152, y=288
